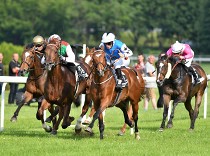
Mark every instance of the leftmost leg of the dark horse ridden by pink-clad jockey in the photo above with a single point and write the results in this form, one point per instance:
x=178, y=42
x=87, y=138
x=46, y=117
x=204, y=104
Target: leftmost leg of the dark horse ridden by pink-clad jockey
x=165, y=111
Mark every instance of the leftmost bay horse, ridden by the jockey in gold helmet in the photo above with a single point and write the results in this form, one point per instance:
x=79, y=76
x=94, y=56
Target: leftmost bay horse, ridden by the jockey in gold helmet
x=31, y=63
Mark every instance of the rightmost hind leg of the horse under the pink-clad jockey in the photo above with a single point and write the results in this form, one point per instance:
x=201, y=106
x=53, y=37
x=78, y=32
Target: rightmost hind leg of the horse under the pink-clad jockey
x=198, y=100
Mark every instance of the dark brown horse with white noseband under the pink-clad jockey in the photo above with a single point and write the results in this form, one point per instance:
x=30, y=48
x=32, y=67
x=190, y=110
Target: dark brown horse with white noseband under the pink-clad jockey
x=173, y=77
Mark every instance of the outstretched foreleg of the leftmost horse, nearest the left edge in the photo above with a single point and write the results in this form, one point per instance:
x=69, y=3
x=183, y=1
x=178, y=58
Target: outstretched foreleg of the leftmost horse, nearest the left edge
x=26, y=98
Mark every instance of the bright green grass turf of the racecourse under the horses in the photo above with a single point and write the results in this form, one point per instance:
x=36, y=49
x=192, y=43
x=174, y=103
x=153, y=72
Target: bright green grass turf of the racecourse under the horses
x=26, y=136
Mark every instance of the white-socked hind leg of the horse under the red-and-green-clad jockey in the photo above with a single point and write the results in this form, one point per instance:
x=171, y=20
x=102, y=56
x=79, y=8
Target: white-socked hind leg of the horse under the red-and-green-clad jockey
x=78, y=126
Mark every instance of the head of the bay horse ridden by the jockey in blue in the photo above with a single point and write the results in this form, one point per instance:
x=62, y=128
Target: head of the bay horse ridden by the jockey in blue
x=99, y=61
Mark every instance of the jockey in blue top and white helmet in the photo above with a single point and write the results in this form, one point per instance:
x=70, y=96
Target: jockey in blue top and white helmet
x=117, y=53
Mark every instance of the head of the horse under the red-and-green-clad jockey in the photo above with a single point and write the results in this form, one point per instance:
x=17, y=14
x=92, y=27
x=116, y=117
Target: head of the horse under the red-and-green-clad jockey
x=52, y=57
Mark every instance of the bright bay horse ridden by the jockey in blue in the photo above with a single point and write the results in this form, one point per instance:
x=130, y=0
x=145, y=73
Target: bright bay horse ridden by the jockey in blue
x=103, y=92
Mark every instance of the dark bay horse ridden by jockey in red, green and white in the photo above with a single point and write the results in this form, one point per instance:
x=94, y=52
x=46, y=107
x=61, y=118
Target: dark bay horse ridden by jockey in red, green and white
x=60, y=86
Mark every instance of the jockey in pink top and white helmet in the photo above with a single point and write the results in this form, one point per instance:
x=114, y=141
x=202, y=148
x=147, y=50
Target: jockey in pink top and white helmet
x=186, y=53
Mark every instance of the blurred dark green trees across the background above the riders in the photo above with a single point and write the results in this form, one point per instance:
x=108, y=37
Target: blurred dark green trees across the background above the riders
x=141, y=24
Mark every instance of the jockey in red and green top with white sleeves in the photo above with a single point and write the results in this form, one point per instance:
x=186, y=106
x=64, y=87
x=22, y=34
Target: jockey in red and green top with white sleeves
x=68, y=56
